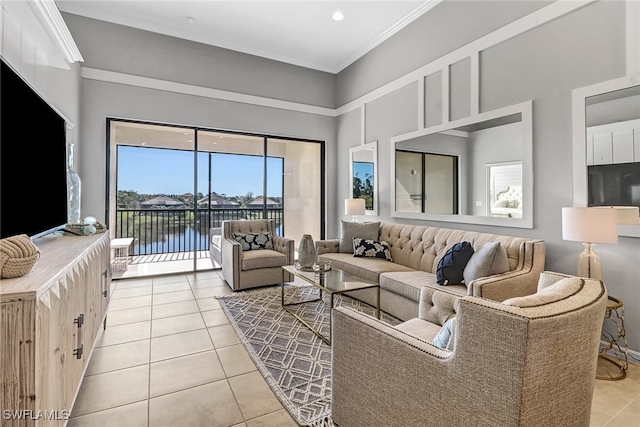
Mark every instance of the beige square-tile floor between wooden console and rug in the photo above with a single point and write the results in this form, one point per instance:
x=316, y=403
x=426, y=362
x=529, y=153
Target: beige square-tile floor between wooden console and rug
x=169, y=357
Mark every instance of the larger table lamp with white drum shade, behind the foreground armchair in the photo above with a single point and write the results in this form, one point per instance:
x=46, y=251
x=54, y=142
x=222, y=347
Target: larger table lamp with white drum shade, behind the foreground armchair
x=589, y=226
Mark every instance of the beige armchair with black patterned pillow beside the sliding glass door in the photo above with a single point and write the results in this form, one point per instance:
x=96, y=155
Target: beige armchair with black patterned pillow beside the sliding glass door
x=243, y=269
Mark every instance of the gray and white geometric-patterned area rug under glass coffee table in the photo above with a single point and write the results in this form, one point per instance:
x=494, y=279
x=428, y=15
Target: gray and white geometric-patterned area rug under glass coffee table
x=293, y=360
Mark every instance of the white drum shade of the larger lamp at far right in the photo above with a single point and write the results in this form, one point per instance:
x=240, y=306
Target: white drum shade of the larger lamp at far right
x=590, y=225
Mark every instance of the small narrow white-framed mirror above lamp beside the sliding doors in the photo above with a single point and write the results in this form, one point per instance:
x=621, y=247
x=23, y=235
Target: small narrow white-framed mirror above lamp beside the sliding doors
x=363, y=169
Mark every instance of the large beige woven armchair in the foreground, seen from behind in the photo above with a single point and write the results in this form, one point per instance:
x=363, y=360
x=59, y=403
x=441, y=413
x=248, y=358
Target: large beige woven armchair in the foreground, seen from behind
x=529, y=361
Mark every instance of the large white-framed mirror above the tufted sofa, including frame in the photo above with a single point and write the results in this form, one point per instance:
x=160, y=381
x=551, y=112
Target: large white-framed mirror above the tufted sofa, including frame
x=475, y=170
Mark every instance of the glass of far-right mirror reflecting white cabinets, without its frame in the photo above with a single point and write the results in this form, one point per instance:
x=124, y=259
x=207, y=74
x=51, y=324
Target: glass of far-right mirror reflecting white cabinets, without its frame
x=613, y=148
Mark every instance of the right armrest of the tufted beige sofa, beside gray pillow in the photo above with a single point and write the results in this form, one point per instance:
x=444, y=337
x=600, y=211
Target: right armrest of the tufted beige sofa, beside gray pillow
x=516, y=283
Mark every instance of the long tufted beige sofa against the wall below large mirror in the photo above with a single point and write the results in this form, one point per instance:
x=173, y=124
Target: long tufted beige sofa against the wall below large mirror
x=416, y=251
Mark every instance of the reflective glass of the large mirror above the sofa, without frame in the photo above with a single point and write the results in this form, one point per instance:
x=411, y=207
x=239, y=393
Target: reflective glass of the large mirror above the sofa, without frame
x=474, y=170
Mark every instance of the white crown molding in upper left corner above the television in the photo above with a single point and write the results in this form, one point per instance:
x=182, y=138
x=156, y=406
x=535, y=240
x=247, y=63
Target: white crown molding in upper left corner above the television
x=49, y=16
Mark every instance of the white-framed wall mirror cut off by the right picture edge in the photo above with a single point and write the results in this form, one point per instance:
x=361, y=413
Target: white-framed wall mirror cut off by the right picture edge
x=606, y=141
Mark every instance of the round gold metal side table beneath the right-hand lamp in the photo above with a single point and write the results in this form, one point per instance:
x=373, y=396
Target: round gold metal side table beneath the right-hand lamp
x=614, y=356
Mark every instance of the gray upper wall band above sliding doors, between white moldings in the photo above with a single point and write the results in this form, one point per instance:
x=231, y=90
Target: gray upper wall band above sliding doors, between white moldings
x=123, y=49
